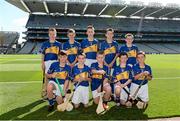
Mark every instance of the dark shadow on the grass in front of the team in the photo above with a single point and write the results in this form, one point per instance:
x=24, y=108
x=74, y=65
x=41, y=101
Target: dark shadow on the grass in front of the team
x=114, y=113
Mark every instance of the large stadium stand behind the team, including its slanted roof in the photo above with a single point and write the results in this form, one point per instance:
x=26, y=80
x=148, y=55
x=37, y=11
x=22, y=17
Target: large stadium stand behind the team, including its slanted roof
x=156, y=27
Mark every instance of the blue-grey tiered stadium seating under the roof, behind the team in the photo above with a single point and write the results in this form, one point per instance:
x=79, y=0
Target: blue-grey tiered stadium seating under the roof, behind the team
x=156, y=36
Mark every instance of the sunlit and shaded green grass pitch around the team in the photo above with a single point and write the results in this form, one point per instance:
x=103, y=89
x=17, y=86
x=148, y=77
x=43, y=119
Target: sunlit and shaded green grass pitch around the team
x=20, y=85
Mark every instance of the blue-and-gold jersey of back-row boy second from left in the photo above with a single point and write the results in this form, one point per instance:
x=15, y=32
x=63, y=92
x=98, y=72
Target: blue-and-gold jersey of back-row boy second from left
x=72, y=50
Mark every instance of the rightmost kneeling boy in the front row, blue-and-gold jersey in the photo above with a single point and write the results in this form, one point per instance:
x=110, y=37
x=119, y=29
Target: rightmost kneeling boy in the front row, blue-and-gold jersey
x=142, y=74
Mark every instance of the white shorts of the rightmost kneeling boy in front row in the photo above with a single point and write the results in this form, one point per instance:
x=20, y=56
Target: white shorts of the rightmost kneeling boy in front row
x=142, y=93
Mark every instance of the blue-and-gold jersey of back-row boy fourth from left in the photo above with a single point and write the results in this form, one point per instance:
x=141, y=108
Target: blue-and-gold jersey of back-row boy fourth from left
x=110, y=51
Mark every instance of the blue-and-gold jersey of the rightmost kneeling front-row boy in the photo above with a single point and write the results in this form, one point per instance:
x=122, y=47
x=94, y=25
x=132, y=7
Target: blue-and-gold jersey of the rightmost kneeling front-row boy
x=138, y=70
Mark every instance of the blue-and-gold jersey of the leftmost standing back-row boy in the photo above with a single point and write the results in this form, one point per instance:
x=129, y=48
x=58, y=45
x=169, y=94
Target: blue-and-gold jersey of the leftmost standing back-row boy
x=50, y=50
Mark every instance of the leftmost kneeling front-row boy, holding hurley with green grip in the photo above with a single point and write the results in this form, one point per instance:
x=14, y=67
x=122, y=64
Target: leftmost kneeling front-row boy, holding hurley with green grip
x=58, y=71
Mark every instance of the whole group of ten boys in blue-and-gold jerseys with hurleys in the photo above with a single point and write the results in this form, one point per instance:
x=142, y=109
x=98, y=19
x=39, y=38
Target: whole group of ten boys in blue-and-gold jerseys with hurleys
x=107, y=70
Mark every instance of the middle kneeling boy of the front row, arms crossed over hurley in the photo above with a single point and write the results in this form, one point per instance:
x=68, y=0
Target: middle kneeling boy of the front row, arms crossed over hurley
x=100, y=80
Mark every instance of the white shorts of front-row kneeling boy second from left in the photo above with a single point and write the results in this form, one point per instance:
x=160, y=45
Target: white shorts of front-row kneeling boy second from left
x=81, y=95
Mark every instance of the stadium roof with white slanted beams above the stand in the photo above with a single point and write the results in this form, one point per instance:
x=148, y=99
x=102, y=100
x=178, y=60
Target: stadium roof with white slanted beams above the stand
x=81, y=7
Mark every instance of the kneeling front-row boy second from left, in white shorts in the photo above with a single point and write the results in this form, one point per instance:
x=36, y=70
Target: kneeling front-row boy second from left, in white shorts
x=81, y=75
